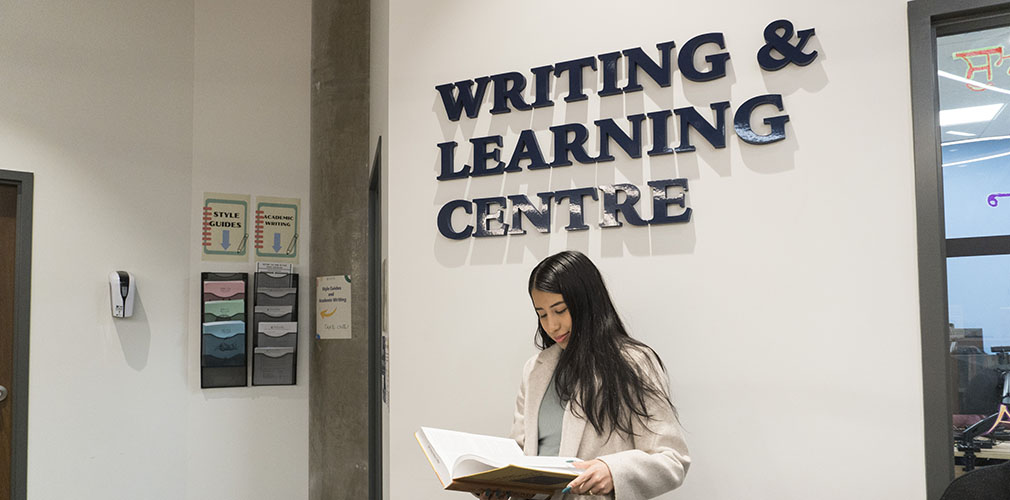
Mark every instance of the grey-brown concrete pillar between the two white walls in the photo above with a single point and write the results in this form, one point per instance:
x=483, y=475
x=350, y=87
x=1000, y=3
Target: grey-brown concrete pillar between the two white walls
x=339, y=385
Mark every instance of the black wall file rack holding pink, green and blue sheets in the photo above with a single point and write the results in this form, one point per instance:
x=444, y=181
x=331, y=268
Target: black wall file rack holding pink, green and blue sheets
x=224, y=359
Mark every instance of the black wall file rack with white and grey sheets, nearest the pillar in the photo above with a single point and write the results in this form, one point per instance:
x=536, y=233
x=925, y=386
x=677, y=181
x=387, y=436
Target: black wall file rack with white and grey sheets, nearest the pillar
x=275, y=328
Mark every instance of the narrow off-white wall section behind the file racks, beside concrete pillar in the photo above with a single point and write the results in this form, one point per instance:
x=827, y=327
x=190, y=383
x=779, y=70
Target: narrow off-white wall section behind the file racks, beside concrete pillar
x=251, y=135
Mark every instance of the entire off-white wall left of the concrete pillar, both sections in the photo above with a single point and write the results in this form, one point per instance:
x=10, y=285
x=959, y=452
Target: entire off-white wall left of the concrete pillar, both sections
x=127, y=112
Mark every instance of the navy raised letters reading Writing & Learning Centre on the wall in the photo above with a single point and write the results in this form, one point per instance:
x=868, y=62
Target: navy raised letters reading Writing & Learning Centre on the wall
x=489, y=156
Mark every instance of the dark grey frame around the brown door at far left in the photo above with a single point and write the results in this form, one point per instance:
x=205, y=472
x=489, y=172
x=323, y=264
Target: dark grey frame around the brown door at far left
x=25, y=181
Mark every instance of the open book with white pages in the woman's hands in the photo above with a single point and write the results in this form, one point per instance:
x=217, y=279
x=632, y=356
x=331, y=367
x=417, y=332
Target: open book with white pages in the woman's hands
x=475, y=463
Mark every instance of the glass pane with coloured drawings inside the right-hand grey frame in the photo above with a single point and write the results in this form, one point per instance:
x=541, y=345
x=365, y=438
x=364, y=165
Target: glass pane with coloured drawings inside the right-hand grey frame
x=973, y=82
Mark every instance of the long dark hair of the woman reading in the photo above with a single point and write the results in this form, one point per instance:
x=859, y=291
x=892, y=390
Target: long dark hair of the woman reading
x=594, y=370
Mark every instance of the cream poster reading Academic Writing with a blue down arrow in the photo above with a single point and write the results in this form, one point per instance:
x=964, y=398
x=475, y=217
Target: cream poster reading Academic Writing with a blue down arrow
x=277, y=223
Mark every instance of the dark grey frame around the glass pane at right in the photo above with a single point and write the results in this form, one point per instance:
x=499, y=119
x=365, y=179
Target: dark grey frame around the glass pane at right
x=925, y=18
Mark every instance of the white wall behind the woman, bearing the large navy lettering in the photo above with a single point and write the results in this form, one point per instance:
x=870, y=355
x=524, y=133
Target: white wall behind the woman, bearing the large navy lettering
x=786, y=311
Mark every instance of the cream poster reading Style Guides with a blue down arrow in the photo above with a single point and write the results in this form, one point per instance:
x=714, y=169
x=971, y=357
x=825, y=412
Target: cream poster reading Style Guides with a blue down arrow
x=226, y=228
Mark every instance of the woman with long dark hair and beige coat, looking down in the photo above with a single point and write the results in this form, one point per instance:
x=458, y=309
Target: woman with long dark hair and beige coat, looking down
x=594, y=392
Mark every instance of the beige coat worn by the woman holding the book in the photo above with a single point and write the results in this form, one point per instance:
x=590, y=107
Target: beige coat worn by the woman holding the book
x=648, y=465
